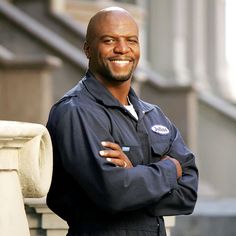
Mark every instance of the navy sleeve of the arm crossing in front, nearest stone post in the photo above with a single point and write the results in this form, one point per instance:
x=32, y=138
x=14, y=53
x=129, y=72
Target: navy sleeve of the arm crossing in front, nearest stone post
x=77, y=137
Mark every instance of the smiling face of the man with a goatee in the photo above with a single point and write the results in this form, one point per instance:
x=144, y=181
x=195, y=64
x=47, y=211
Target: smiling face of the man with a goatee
x=114, y=51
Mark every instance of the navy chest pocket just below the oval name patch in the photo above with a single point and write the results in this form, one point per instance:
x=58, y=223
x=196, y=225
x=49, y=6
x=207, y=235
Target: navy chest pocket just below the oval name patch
x=159, y=149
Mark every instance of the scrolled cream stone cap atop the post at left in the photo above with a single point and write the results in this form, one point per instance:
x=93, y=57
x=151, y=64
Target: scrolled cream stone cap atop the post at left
x=33, y=149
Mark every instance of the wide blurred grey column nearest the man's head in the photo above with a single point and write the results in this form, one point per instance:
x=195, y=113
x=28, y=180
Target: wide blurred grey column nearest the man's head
x=167, y=35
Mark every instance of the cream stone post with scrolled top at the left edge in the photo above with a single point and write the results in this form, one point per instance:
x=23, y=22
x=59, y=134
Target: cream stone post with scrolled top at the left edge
x=25, y=171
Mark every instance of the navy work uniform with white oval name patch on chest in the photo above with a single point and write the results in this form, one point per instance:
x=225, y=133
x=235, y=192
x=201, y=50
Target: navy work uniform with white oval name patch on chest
x=92, y=194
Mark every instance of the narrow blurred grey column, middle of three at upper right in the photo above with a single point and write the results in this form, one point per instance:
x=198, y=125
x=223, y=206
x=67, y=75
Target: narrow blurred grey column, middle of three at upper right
x=196, y=43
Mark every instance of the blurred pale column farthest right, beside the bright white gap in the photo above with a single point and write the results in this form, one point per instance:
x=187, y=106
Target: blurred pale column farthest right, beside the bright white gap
x=216, y=58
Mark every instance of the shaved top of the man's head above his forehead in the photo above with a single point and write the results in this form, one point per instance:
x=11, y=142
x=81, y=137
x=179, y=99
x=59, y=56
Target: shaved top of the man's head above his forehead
x=104, y=16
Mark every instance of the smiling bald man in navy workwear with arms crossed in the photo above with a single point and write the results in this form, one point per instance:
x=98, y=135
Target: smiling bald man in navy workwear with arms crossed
x=120, y=165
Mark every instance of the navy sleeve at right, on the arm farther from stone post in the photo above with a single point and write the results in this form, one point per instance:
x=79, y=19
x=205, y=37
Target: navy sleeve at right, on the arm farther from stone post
x=181, y=200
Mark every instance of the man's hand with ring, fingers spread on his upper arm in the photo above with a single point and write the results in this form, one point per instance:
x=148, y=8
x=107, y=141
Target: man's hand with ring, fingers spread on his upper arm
x=115, y=155
